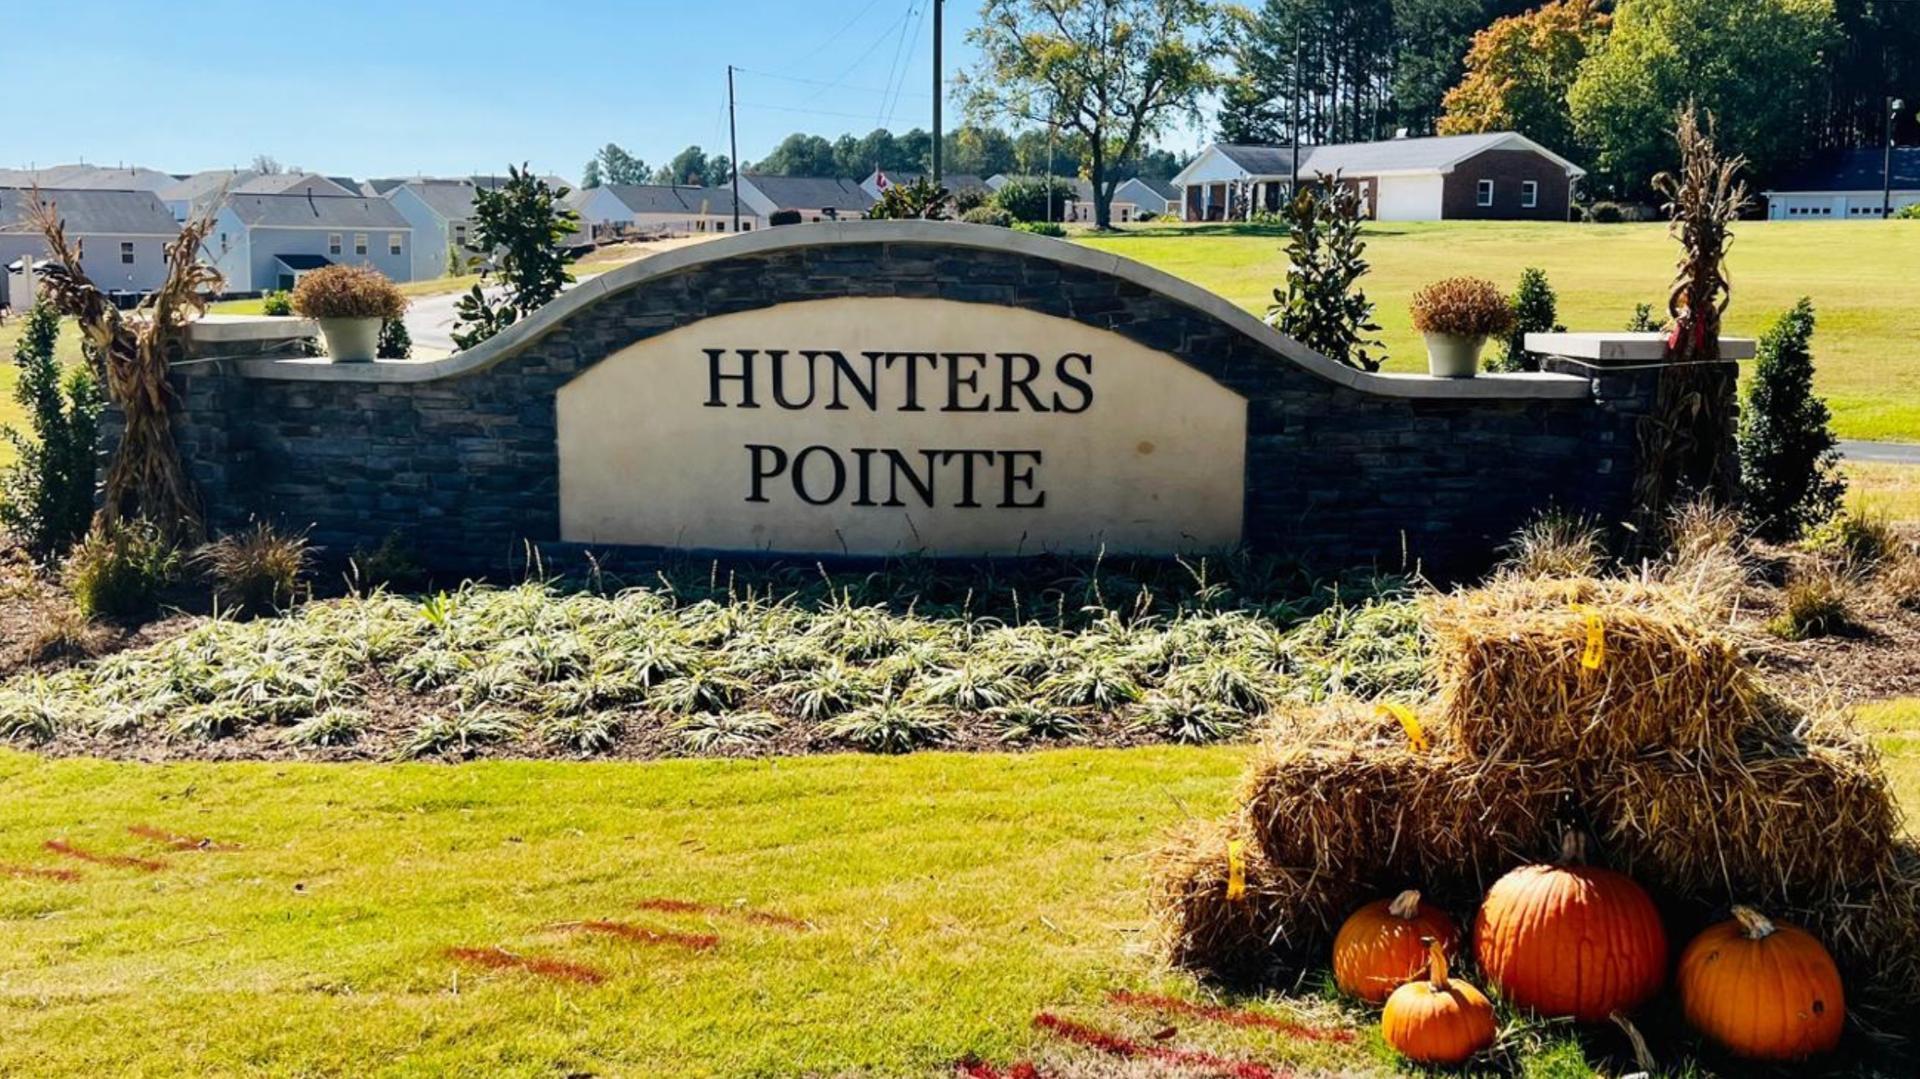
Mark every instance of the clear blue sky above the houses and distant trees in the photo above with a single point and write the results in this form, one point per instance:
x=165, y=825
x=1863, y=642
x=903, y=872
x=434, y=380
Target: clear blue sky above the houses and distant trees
x=396, y=87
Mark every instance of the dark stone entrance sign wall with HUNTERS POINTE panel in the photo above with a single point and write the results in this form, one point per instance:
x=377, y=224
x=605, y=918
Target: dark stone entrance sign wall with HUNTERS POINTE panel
x=882, y=389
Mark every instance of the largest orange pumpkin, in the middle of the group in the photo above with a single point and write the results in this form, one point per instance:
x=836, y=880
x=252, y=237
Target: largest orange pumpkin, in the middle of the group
x=1572, y=940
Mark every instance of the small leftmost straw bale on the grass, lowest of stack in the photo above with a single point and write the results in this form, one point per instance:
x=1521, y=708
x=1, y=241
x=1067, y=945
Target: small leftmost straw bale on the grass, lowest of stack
x=1285, y=919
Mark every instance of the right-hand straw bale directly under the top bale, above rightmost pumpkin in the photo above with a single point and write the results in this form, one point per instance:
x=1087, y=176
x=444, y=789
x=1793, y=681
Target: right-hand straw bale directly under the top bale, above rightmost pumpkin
x=1754, y=828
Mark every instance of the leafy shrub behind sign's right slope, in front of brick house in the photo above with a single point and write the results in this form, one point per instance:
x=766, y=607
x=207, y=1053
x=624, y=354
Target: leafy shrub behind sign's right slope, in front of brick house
x=1324, y=306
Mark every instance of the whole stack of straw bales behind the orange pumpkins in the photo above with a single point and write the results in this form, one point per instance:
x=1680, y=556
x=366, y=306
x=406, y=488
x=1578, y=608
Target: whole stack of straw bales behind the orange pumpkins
x=1652, y=734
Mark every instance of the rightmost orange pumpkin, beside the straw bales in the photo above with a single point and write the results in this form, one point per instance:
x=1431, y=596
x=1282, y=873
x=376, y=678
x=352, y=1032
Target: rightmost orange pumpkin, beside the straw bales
x=1764, y=992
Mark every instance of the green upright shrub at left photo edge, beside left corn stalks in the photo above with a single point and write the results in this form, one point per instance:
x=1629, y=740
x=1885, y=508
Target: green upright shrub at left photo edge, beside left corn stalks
x=47, y=494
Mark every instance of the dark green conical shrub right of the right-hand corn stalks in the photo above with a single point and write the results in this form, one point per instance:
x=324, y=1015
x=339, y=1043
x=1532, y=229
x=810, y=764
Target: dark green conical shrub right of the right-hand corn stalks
x=1788, y=458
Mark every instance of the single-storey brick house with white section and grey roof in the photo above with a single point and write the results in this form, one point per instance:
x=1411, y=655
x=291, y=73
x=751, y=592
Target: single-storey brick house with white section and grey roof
x=1497, y=176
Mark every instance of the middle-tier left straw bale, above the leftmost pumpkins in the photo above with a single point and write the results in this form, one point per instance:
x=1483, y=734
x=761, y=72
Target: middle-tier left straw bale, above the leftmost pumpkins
x=1351, y=798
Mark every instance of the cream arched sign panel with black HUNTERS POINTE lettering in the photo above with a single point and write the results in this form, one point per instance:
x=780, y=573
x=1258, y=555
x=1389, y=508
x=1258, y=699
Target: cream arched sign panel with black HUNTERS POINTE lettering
x=888, y=427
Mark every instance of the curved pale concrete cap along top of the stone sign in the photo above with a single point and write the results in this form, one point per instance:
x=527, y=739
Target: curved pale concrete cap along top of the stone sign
x=932, y=233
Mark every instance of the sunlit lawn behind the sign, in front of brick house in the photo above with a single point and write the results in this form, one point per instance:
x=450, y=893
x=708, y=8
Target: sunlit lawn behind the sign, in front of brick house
x=1860, y=276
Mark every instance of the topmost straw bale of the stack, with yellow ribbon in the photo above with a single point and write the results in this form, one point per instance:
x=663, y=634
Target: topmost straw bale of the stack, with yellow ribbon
x=1516, y=681
